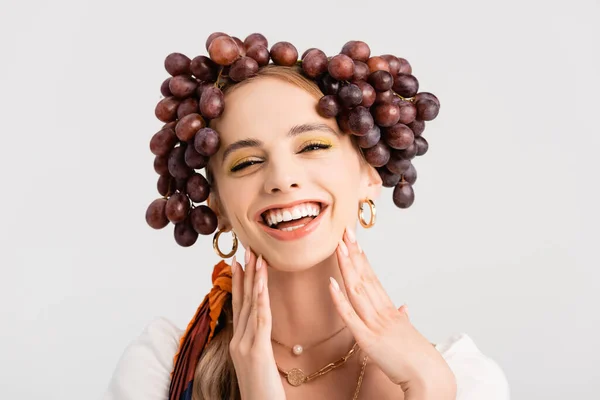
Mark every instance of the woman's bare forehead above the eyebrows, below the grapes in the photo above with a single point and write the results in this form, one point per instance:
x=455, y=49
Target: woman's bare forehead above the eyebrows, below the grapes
x=264, y=107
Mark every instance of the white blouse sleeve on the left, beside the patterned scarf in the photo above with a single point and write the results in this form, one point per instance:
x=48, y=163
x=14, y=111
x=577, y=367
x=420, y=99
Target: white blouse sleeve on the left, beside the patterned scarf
x=144, y=370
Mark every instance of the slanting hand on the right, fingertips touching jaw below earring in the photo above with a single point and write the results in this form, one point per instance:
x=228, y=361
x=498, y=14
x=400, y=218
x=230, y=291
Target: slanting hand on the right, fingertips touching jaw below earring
x=384, y=332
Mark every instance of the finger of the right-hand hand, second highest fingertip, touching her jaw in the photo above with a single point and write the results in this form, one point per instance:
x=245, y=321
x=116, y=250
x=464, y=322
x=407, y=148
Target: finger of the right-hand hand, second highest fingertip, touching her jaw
x=355, y=288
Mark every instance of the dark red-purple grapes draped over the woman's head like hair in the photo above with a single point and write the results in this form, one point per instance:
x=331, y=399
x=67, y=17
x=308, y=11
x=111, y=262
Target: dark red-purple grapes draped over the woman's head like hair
x=375, y=99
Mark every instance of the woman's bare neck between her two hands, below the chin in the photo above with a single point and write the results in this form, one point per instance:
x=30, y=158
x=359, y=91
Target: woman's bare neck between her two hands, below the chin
x=302, y=309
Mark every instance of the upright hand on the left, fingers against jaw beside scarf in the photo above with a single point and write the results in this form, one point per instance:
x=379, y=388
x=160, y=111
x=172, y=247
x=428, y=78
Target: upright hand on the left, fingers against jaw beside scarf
x=250, y=348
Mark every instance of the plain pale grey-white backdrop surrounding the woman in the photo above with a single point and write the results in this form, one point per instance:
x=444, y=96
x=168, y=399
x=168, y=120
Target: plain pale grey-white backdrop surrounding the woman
x=501, y=242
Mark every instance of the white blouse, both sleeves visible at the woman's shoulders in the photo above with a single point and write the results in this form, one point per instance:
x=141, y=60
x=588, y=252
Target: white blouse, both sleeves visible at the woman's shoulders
x=143, y=372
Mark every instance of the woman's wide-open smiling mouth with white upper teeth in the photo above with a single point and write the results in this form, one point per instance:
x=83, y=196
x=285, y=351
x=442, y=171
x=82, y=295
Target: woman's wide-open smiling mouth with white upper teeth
x=291, y=218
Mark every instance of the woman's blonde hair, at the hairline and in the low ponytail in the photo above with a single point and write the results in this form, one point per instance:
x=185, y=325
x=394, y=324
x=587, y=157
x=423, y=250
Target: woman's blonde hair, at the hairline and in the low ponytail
x=215, y=376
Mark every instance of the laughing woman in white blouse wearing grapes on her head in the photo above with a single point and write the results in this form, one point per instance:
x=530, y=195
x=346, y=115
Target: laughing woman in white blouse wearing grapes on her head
x=305, y=317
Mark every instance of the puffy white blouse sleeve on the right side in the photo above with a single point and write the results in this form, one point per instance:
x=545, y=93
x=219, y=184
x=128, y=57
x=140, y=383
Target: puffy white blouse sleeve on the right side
x=478, y=377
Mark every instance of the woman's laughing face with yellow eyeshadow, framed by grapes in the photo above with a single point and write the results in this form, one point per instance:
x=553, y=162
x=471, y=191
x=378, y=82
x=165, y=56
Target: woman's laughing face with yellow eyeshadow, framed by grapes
x=279, y=160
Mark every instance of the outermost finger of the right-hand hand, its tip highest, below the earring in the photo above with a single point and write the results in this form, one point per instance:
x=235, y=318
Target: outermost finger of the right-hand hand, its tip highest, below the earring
x=366, y=274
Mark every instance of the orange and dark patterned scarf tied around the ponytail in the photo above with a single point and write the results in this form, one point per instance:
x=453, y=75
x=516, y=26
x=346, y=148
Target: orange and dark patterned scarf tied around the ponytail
x=199, y=332
